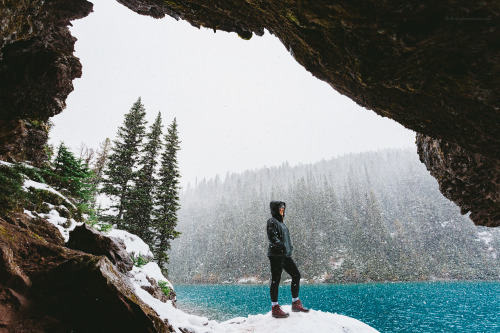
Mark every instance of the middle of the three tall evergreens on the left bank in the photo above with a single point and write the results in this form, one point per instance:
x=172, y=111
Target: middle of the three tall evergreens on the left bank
x=138, y=216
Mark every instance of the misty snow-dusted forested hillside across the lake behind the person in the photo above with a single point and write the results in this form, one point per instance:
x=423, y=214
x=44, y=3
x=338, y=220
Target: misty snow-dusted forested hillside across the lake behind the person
x=365, y=217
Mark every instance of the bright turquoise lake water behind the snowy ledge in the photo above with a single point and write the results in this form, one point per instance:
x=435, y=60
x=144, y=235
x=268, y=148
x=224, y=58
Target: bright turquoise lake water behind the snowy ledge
x=389, y=307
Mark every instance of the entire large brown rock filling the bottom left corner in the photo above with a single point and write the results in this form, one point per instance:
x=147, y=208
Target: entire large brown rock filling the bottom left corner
x=46, y=287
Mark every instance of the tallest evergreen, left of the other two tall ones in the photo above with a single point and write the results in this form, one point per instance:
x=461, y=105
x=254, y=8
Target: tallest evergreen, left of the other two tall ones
x=122, y=161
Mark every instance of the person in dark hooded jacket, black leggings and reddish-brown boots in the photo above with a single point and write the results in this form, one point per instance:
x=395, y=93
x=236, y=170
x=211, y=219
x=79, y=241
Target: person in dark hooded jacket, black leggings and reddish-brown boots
x=280, y=257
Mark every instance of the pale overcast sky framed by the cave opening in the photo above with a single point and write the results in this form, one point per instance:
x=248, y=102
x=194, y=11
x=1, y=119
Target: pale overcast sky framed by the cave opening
x=239, y=104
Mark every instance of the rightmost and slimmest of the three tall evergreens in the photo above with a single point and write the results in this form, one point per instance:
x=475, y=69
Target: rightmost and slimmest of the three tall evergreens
x=167, y=198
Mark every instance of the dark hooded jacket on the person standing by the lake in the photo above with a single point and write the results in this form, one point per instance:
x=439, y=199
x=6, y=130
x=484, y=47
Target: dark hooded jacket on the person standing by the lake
x=280, y=244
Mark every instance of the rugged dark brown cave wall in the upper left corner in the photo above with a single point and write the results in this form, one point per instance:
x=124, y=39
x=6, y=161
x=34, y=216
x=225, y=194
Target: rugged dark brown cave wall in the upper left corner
x=37, y=67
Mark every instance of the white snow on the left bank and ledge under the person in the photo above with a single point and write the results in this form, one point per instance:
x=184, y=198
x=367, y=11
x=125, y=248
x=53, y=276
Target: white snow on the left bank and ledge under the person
x=314, y=321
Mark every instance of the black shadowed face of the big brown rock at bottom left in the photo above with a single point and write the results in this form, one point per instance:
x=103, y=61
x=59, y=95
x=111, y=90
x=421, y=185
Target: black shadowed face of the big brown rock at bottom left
x=90, y=294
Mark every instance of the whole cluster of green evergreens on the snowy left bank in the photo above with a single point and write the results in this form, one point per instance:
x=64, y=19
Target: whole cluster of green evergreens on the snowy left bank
x=137, y=173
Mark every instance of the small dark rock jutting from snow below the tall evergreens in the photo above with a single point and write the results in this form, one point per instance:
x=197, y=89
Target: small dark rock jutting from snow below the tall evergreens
x=86, y=239
